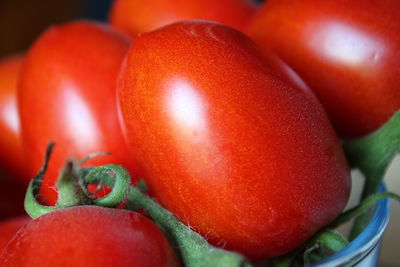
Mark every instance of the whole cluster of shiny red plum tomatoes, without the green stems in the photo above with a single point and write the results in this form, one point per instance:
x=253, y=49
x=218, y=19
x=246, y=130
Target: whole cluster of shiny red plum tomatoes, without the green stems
x=226, y=135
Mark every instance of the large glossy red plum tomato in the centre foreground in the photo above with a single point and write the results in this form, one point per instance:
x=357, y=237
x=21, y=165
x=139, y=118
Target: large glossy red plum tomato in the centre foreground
x=246, y=160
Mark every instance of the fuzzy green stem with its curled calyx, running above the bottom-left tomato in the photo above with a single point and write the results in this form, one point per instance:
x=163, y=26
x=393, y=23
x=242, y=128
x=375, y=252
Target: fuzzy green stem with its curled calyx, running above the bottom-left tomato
x=72, y=188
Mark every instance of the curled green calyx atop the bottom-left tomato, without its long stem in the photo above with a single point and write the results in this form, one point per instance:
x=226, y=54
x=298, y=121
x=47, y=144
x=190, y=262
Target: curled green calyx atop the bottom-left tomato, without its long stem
x=72, y=188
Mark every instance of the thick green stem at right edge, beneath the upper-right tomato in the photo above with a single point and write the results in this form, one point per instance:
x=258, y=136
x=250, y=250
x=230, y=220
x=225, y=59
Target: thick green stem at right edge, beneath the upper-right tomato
x=372, y=155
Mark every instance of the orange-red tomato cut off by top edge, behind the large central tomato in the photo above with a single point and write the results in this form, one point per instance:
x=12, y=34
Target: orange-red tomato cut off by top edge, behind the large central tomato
x=137, y=16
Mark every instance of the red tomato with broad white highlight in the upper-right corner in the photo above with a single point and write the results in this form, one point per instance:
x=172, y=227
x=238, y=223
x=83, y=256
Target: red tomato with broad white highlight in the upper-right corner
x=346, y=51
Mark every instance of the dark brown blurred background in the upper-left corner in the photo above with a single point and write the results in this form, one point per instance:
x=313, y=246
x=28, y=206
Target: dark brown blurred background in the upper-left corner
x=21, y=21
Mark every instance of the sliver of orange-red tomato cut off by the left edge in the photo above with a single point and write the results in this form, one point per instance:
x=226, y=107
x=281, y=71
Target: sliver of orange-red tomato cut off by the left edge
x=11, y=156
